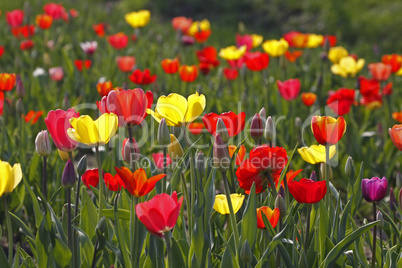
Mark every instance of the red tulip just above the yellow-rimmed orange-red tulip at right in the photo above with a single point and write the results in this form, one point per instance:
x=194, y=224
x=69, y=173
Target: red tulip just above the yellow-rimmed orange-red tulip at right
x=341, y=101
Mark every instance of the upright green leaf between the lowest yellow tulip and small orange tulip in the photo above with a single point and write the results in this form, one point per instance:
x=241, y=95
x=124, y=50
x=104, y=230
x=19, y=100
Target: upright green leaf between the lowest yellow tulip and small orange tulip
x=249, y=222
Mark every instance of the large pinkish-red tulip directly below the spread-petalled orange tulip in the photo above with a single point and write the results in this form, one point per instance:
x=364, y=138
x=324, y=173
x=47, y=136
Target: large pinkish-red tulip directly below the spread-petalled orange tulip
x=159, y=215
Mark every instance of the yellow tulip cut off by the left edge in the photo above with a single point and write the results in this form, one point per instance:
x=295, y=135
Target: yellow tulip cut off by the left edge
x=10, y=177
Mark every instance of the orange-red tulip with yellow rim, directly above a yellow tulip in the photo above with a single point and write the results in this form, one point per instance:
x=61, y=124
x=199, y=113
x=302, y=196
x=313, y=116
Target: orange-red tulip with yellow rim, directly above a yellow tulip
x=328, y=130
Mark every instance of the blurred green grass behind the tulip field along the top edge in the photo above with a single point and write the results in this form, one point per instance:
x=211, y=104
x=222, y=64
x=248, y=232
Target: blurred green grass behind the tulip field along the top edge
x=366, y=27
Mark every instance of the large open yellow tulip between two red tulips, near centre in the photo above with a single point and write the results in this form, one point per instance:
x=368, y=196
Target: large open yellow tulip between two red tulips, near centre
x=178, y=111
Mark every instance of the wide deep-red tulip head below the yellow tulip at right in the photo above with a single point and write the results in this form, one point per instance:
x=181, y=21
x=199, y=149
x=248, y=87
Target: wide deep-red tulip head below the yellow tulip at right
x=308, y=191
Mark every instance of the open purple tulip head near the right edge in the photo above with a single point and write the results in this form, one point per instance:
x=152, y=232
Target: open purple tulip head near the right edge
x=374, y=189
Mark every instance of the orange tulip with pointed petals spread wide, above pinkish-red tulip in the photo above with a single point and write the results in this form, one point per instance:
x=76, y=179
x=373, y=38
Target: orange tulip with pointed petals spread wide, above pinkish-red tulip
x=137, y=183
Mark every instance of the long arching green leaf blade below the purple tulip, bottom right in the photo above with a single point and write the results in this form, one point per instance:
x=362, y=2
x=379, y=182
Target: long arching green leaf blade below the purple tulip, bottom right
x=334, y=254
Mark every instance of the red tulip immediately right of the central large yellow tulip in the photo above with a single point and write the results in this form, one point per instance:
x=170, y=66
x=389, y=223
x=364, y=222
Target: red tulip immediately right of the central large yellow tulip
x=234, y=123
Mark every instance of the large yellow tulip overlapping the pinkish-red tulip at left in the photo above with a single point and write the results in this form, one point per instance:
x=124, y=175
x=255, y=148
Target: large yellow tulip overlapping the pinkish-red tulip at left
x=93, y=133
